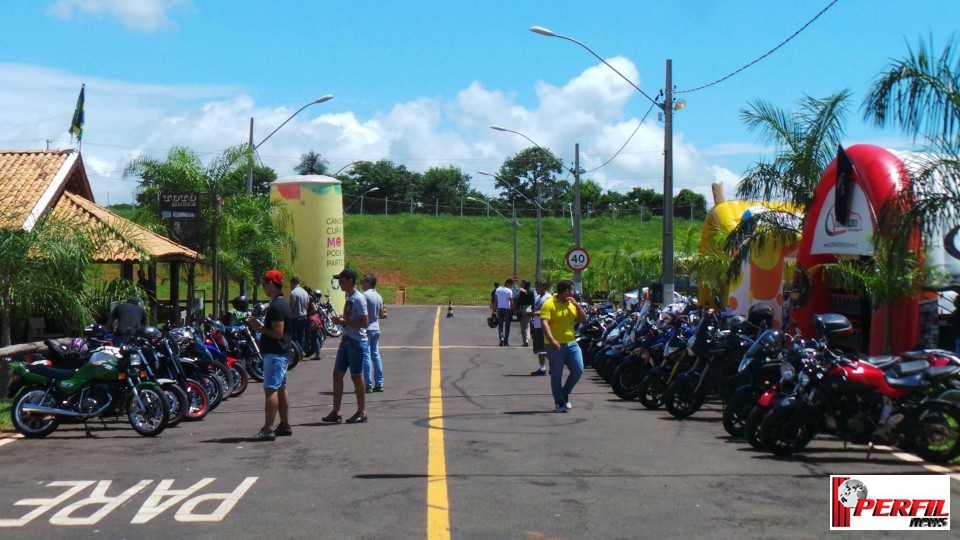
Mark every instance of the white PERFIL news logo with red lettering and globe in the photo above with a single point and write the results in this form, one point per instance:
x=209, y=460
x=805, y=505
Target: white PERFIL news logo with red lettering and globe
x=889, y=502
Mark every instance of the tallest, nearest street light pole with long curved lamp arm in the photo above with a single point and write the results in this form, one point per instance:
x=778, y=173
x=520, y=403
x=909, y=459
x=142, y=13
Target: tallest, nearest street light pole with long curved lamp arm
x=666, y=277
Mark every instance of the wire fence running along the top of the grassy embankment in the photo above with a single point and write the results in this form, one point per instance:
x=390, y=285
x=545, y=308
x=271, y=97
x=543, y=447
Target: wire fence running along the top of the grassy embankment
x=472, y=208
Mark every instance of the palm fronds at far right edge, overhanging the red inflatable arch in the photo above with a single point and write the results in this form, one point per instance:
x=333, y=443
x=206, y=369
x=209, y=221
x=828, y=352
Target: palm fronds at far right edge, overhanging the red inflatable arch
x=921, y=94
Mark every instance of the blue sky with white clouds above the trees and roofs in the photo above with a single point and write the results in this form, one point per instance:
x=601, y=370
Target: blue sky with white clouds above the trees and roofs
x=420, y=82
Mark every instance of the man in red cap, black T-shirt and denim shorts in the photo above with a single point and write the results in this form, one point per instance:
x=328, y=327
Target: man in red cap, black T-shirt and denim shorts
x=277, y=348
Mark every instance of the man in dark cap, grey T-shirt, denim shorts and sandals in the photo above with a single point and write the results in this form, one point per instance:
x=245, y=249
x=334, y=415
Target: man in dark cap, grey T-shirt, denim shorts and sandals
x=353, y=350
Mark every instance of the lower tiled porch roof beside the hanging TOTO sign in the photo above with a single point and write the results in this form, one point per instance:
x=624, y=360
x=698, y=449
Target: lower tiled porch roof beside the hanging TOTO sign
x=120, y=240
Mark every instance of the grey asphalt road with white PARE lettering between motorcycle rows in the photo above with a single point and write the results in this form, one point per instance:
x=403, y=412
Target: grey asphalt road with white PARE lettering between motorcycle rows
x=514, y=468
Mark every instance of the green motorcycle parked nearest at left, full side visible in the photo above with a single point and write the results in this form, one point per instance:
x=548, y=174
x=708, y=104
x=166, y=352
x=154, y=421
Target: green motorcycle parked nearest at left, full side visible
x=108, y=385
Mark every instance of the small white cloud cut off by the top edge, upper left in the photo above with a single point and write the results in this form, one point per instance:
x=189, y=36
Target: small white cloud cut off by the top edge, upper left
x=139, y=15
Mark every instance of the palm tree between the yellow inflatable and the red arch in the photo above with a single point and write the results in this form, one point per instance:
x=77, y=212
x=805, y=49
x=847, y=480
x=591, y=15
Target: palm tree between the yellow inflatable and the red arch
x=805, y=142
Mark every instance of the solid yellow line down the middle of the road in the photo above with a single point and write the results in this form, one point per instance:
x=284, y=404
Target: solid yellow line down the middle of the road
x=438, y=503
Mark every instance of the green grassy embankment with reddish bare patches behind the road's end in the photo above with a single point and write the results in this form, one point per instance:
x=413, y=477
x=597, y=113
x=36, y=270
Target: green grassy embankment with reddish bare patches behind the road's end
x=452, y=259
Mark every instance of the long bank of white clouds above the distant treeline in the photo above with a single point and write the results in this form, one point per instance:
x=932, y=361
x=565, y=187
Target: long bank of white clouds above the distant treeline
x=124, y=120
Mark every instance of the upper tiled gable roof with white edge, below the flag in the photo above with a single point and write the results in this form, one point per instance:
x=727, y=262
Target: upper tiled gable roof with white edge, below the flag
x=32, y=180
